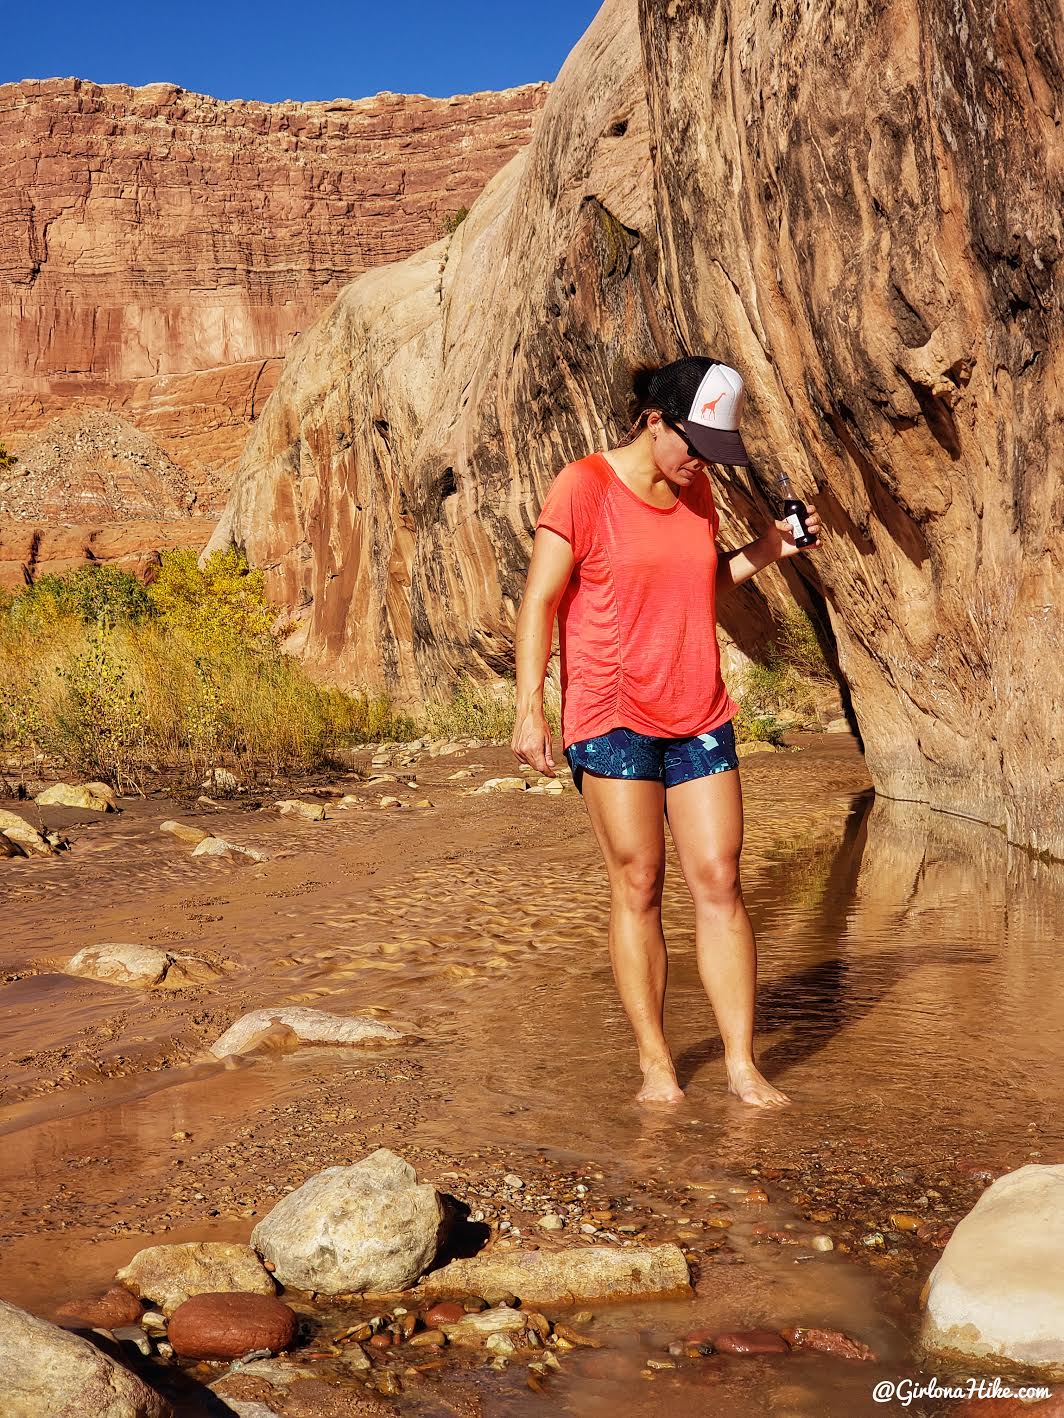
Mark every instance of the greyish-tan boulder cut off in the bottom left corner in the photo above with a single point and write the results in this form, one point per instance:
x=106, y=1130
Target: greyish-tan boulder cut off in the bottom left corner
x=49, y=1373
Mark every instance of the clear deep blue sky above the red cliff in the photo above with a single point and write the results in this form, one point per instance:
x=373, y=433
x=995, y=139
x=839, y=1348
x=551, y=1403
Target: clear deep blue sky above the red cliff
x=310, y=50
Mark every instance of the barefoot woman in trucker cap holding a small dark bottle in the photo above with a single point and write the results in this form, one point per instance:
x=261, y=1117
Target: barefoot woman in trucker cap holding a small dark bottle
x=626, y=557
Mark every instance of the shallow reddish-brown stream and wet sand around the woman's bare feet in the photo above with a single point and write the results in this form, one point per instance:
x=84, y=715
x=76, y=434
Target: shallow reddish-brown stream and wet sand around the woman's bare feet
x=909, y=1005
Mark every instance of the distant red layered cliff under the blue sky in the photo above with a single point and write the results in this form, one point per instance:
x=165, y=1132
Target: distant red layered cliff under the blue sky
x=160, y=250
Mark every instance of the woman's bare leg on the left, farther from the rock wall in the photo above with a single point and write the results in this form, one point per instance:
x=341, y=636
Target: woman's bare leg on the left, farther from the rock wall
x=628, y=816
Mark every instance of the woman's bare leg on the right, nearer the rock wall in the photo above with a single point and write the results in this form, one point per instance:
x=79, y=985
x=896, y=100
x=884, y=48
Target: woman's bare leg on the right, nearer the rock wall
x=706, y=817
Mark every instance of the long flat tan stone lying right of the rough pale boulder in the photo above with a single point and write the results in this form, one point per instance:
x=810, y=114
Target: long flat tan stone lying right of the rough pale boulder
x=565, y=1277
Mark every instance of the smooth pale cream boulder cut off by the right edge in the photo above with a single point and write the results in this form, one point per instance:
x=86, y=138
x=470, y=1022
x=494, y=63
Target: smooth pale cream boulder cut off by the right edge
x=997, y=1297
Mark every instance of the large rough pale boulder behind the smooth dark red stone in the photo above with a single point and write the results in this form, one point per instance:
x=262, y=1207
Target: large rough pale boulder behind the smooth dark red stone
x=370, y=1227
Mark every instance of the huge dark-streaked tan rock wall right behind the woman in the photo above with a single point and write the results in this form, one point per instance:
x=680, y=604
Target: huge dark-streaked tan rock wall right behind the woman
x=879, y=262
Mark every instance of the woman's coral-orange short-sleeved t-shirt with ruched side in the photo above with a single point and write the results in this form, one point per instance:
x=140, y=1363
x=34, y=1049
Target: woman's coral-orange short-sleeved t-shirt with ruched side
x=638, y=623
